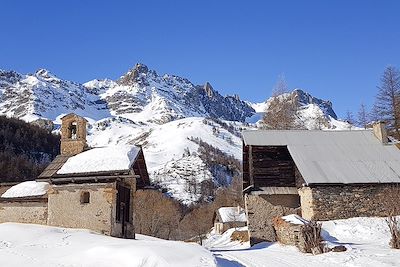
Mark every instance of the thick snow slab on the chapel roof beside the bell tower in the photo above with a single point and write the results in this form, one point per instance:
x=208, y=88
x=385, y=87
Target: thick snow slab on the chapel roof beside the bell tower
x=101, y=159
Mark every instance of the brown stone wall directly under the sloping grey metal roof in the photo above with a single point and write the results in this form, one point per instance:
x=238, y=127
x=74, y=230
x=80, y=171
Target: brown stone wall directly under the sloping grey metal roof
x=346, y=201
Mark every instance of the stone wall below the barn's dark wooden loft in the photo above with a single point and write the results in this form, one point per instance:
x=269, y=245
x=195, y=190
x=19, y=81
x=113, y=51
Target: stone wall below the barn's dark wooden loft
x=260, y=214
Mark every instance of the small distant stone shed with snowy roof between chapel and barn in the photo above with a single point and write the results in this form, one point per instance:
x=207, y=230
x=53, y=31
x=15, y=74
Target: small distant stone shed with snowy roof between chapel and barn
x=229, y=217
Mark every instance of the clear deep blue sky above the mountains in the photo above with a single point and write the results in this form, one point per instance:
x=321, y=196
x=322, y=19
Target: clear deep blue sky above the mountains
x=335, y=50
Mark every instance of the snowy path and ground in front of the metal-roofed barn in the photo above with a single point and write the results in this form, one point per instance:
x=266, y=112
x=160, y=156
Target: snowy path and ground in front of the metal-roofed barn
x=366, y=240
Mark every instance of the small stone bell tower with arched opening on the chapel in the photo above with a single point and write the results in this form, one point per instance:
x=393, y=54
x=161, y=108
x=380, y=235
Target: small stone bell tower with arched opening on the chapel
x=73, y=134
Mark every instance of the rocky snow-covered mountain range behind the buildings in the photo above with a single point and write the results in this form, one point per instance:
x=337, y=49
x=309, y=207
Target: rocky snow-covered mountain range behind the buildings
x=175, y=121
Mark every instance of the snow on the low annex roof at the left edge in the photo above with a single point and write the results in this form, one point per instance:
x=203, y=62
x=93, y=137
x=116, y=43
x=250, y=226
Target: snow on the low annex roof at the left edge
x=26, y=189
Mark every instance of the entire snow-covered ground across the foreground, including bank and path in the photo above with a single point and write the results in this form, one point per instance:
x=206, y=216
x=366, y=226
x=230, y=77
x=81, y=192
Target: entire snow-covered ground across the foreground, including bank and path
x=366, y=240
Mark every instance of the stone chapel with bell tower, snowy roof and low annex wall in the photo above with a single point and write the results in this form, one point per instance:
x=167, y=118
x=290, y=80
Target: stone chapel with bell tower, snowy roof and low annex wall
x=90, y=188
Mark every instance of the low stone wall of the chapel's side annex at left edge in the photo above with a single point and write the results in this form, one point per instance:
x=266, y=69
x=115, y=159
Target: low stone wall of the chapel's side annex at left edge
x=21, y=211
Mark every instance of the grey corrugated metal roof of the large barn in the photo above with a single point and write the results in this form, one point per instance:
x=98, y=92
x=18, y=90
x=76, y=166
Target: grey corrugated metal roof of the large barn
x=346, y=157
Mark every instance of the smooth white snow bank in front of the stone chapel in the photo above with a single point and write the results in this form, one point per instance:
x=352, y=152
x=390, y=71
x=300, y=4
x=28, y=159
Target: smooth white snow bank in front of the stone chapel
x=44, y=246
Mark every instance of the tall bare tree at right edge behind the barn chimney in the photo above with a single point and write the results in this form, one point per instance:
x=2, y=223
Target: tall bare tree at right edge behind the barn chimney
x=387, y=103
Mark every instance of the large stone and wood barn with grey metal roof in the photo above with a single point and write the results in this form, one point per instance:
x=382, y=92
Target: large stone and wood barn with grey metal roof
x=320, y=175
